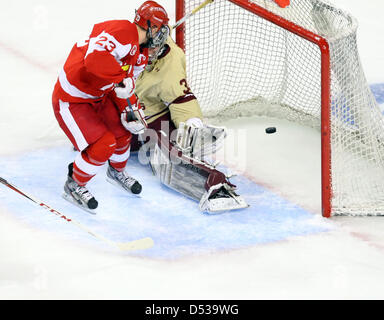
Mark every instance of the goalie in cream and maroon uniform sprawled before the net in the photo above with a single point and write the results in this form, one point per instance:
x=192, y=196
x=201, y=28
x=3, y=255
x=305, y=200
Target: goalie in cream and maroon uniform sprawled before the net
x=178, y=141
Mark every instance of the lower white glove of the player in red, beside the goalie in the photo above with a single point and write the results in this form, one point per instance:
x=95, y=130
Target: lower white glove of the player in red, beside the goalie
x=133, y=118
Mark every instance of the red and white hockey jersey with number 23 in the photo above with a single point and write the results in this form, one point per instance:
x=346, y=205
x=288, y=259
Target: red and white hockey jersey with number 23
x=95, y=65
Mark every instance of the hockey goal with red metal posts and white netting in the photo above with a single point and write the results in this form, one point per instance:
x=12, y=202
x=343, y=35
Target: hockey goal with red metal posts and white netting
x=301, y=63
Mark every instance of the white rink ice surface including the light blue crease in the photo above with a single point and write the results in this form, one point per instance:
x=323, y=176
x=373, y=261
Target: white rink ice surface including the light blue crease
x=279, y=248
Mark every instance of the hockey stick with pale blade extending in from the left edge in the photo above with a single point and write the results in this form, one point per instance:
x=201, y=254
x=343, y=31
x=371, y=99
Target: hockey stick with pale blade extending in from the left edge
x=139, y=244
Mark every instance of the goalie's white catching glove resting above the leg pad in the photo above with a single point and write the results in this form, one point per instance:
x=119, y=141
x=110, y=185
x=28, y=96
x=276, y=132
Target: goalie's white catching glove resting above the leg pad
x=199, y=140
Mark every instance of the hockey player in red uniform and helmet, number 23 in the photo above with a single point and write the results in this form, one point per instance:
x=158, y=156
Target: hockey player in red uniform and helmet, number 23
x=89, y=99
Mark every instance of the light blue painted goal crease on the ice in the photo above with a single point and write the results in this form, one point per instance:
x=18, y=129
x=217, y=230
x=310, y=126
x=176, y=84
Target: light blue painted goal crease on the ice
x=172, y=220
